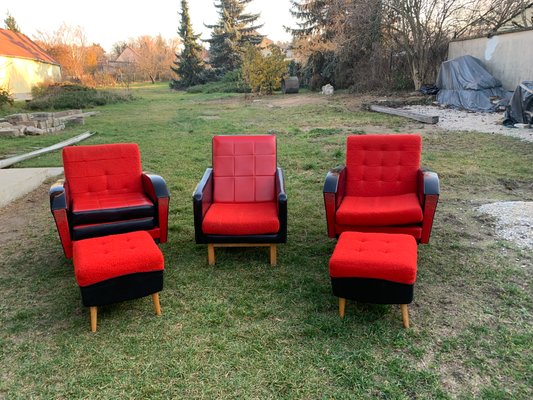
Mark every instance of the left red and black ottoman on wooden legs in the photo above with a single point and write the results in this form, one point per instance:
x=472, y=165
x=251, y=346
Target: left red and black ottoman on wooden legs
x=115, y=268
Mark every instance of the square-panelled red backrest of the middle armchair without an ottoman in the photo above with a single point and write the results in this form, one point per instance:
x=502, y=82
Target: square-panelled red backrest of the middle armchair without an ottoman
x=244, y=168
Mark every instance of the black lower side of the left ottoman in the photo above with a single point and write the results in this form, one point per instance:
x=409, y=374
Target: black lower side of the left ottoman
x=122, y=288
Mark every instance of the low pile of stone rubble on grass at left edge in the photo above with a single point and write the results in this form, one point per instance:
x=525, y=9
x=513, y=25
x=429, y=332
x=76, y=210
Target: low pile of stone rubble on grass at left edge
x=41, y=122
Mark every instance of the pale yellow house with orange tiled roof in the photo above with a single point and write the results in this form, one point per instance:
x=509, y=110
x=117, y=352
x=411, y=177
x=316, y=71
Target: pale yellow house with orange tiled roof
x=23, y=64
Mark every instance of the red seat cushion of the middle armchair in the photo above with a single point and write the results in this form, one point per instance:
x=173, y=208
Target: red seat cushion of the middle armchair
x=241, y=219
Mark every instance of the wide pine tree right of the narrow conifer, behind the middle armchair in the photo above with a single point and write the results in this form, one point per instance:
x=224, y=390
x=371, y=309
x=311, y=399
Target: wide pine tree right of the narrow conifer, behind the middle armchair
x=230, y=36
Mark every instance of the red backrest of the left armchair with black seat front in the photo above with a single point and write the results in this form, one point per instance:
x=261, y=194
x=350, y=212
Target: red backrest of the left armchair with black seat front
x=106, y=168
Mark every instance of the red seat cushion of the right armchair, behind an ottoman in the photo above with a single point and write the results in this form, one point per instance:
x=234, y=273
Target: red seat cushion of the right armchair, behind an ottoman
x=379, y=211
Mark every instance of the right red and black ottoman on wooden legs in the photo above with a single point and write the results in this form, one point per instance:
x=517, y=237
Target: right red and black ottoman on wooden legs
x=374, y=268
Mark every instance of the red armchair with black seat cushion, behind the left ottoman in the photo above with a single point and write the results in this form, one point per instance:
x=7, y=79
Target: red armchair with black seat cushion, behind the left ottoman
x=105, y=192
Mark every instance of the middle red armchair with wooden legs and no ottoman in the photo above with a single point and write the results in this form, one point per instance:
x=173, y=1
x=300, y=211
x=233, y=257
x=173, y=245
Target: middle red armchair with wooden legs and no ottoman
x=241, y=200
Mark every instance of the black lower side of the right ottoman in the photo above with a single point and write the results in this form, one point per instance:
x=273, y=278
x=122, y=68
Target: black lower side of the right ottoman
x=376, y=291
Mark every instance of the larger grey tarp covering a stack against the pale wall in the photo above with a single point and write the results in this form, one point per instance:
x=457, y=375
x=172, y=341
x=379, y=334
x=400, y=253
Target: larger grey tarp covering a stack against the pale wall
x=465, y=83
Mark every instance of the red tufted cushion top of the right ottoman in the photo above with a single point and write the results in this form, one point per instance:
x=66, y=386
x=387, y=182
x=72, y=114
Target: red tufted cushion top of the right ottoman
x=390, y=257
